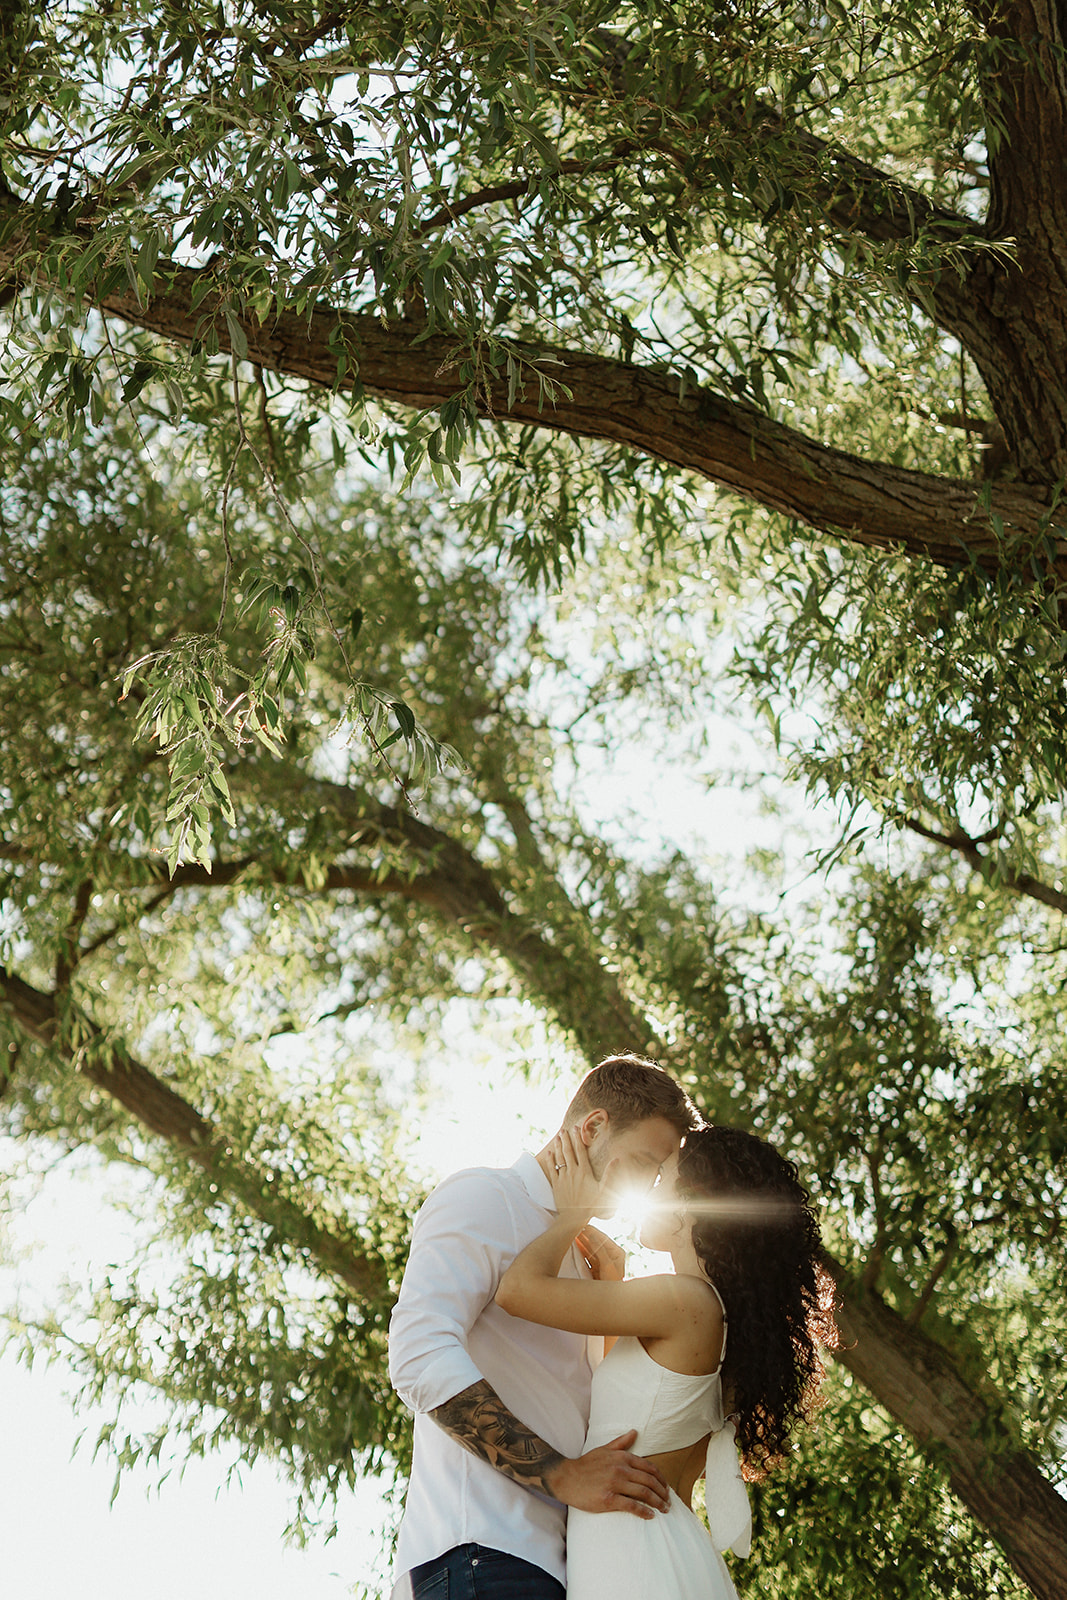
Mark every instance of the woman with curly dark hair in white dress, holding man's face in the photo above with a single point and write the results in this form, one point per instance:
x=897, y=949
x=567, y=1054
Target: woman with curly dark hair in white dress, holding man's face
x=746, y=1255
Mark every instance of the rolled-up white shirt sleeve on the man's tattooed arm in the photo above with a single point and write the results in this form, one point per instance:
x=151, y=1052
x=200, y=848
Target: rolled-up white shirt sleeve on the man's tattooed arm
x=465, y=1238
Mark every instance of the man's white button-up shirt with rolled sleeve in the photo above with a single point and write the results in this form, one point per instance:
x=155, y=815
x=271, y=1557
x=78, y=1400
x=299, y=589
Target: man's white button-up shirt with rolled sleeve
x=447, y=1334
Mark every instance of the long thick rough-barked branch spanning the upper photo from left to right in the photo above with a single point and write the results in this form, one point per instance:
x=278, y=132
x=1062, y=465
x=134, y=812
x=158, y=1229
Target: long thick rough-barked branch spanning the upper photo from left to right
x=732, y=444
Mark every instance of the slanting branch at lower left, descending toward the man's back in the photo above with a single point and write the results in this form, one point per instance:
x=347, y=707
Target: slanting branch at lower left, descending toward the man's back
x=166, y=1114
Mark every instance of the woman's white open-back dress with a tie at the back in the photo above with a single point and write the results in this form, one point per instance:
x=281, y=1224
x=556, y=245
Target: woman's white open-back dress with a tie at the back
x=673, y=1558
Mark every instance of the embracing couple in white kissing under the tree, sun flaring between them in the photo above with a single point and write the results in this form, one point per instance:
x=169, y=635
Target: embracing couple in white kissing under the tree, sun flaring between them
x=546, y=1468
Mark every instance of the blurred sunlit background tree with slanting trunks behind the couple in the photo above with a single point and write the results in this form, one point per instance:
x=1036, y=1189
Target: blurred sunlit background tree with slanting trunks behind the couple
x=138, y=1004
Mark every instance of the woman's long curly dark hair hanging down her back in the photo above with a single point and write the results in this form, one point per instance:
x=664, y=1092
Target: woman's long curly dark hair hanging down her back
x=759, y=1242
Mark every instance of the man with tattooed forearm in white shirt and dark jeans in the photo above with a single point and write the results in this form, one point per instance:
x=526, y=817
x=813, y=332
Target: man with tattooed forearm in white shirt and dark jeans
x=502, y=1406
